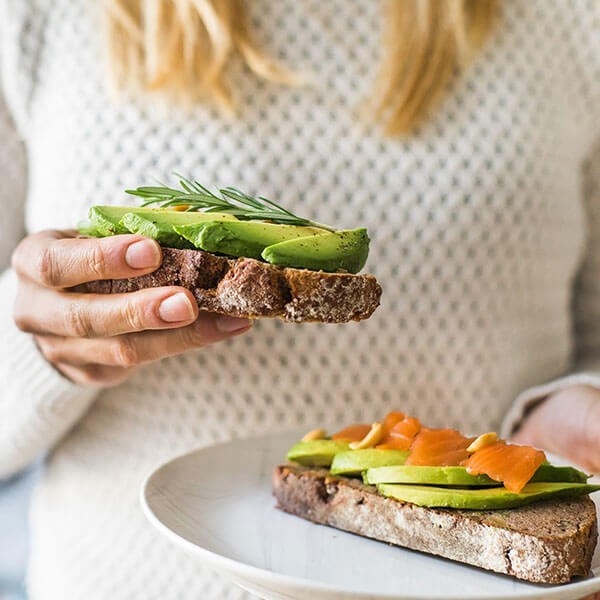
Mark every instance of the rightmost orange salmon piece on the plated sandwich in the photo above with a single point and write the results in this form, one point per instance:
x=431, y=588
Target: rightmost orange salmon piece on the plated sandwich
x=511, y=465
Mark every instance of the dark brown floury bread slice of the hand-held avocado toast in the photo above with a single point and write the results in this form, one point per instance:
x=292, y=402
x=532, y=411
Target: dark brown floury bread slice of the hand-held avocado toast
x=245, y=287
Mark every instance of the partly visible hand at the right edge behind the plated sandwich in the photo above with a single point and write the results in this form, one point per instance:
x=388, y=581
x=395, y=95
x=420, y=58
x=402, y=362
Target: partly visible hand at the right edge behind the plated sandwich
x=567, y=423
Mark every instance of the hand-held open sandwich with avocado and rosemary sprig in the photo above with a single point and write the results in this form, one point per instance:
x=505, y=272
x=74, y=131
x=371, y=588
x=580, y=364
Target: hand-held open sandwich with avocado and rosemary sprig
x=244, y=256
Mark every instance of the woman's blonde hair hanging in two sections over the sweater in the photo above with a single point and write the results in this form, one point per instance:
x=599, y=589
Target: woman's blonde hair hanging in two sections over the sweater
x=184, y=47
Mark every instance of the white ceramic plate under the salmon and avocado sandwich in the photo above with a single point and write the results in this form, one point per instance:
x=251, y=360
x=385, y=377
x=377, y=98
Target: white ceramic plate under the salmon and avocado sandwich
x=216, y=503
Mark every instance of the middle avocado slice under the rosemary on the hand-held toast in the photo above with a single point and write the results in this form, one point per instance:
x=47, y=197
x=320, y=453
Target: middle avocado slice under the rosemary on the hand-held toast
x=243, y=238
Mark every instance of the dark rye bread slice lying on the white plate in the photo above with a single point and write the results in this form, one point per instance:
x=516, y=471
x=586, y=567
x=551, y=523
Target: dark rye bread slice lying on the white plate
x=548, y=542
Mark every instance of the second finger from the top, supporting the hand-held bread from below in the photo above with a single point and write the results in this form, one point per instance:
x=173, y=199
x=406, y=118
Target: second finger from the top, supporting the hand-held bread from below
x=45, y=311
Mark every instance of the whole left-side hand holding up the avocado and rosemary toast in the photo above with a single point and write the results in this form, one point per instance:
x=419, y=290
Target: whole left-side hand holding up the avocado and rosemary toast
x=96, y=339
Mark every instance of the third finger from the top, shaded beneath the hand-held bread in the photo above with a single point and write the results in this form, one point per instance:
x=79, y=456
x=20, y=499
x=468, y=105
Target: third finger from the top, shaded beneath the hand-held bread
x=132, y=350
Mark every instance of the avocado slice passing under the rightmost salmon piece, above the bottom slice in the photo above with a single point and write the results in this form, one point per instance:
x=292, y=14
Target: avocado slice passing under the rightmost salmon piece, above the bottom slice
x=459, y=476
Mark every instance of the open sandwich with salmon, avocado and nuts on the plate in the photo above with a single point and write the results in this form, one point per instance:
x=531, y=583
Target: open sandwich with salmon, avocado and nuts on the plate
x=477, y=500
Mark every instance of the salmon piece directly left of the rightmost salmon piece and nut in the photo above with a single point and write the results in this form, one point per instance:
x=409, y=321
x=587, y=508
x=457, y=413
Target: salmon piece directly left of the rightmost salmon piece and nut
x=439, y=448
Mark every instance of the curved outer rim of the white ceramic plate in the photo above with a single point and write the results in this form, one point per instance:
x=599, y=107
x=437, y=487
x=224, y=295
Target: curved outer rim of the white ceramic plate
x=230, y=566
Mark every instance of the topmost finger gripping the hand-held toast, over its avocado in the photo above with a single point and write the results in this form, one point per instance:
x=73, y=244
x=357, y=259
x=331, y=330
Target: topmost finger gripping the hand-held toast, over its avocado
x=54, y=259
